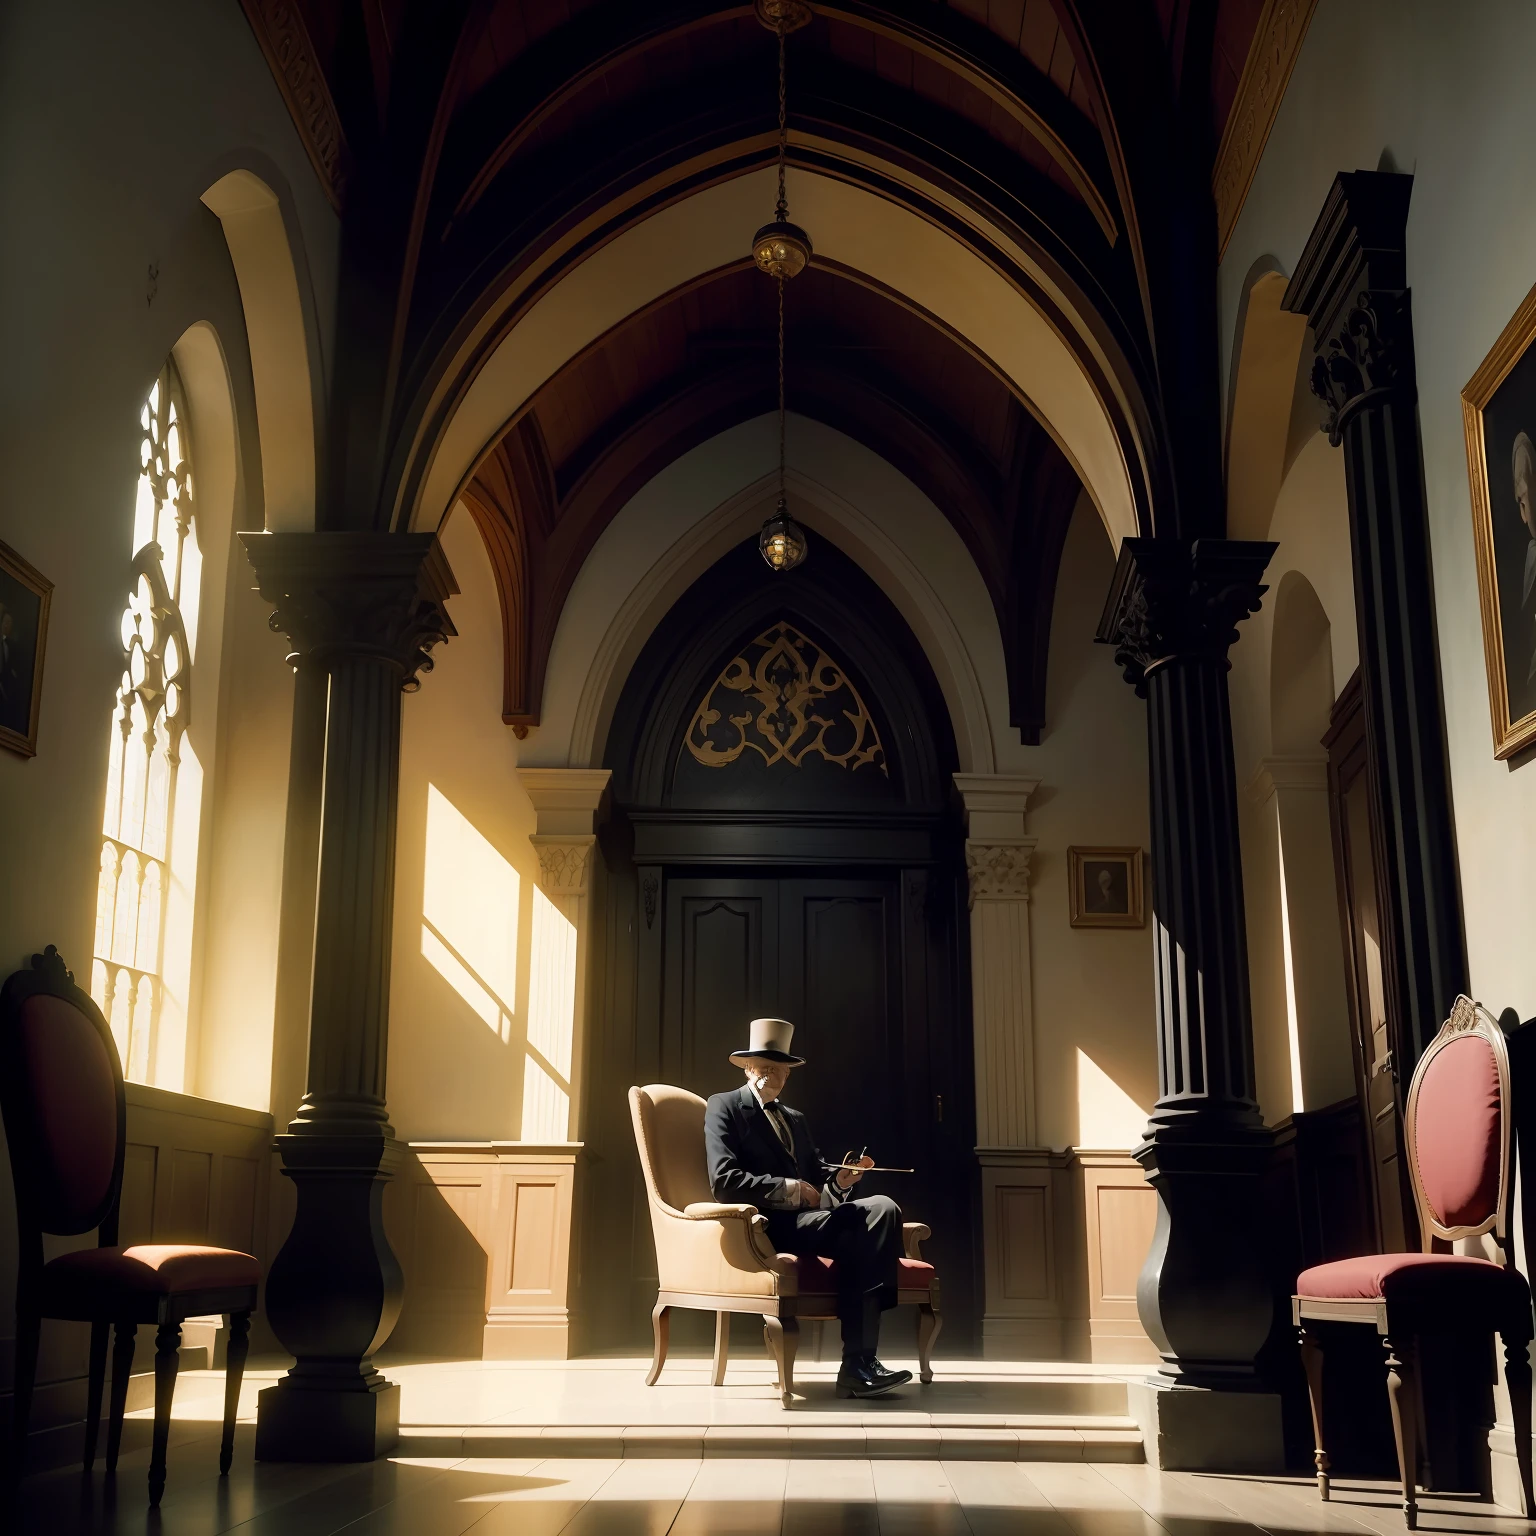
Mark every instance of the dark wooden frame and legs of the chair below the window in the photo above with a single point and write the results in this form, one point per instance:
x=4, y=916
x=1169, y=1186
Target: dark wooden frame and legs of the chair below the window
x=50, y=978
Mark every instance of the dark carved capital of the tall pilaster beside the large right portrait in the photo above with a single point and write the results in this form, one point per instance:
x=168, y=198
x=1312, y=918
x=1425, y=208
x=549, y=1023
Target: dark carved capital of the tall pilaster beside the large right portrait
x=1352, y=286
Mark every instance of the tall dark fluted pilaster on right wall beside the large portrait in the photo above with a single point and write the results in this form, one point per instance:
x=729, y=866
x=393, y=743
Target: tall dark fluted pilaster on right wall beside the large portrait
x=1352, y=286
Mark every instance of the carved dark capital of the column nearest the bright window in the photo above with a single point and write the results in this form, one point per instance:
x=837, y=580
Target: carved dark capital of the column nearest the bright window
x=360, y=595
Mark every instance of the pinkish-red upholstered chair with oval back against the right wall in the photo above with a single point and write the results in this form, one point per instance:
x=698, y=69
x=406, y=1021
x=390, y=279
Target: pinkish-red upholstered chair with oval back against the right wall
x=1458, y=1140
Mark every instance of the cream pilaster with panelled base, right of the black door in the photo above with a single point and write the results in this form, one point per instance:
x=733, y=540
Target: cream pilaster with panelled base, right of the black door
x=1022, y=1319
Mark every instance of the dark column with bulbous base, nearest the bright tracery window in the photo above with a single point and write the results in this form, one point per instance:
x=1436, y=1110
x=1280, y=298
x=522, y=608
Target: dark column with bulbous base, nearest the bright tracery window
x=365, y=609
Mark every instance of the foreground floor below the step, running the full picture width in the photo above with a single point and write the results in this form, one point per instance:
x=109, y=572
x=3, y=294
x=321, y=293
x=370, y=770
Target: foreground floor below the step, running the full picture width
x=723, y=1497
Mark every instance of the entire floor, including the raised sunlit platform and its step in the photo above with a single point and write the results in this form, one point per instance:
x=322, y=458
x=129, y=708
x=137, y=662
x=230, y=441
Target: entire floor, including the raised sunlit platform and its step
x=603, y=1458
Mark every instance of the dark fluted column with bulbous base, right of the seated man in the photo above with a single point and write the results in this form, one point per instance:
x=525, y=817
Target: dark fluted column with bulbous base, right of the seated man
x=1203, y=1296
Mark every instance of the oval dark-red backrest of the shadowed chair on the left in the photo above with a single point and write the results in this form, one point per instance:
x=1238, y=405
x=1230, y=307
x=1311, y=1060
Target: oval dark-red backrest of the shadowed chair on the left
x=62, y=1099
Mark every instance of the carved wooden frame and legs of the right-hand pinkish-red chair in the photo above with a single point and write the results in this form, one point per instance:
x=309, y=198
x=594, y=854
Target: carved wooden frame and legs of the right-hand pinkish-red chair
x=1400, y=1328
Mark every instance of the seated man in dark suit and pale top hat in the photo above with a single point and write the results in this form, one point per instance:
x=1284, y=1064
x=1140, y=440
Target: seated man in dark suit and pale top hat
x=761, y=1154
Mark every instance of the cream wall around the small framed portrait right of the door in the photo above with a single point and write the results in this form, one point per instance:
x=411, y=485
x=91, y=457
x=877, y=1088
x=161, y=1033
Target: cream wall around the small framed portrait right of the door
x=1096, y=1031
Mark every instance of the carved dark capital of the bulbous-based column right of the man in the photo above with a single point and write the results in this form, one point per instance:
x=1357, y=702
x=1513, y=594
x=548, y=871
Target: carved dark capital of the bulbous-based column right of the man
x=1180, y=600
